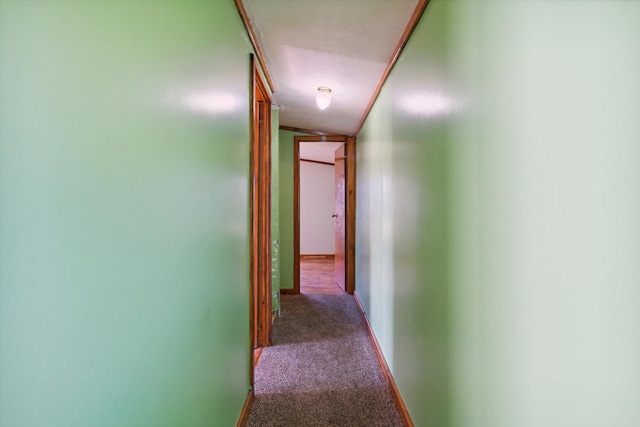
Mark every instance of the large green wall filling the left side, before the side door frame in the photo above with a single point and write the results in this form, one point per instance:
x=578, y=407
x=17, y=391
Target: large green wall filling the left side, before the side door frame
x=124, y=156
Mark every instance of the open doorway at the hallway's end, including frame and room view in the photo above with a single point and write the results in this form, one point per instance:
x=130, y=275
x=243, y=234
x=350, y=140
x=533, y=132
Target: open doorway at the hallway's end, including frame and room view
x=328, y=247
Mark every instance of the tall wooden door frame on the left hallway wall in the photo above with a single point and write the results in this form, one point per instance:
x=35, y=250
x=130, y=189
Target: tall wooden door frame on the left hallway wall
x=260, y=209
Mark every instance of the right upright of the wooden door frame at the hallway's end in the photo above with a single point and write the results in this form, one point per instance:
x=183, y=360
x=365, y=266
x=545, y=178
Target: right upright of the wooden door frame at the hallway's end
x=350, y=201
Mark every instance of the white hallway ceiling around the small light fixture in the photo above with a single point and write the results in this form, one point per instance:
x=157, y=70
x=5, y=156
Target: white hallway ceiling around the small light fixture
x=342, y=44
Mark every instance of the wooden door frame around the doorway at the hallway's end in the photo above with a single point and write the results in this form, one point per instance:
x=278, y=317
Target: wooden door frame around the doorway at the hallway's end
x=350, y=208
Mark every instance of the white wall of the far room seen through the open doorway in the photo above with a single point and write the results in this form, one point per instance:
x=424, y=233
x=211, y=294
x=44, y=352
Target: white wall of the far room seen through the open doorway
x=317, y=204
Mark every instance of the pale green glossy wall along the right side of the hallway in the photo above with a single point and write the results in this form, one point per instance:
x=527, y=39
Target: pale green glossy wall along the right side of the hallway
x=498, y=209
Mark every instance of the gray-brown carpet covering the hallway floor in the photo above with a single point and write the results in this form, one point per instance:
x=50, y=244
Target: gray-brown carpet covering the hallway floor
x=321, y=369
